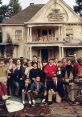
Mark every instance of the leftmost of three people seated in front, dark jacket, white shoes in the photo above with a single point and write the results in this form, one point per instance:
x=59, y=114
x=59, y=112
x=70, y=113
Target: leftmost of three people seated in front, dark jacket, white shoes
x=26, y=91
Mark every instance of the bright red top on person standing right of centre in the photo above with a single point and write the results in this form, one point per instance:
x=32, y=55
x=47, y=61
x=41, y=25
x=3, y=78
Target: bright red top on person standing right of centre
x=50, y=69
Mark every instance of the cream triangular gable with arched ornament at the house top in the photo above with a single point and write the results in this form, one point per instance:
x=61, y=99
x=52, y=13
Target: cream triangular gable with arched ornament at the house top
x=56, y=11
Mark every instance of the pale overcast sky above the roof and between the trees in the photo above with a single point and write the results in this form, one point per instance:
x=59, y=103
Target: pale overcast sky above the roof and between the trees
x=25, y=3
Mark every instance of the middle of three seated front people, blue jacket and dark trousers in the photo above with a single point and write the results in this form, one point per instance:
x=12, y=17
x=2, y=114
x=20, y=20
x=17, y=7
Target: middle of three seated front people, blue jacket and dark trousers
x=38, y=90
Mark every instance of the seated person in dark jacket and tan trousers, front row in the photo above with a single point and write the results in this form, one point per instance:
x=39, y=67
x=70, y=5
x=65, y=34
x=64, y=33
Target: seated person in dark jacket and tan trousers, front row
x=55, y=88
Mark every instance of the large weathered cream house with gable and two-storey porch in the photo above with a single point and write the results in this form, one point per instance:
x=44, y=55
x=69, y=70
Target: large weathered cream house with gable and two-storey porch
x=50, y=30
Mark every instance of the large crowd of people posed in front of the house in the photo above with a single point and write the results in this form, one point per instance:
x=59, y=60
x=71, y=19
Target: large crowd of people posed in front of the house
x=36, y=79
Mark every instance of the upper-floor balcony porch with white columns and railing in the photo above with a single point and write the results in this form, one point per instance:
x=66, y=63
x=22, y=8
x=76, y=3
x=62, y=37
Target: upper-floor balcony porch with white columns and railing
x=45, y=33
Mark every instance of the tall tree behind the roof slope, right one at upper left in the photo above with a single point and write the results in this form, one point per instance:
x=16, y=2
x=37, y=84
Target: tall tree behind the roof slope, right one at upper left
x=14, y=7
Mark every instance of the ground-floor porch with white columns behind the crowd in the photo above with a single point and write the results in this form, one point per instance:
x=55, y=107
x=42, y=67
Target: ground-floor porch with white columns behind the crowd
x=46, y=51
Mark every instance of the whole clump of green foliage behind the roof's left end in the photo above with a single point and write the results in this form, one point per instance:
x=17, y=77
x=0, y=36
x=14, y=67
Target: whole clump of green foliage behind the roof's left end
x=9, y=10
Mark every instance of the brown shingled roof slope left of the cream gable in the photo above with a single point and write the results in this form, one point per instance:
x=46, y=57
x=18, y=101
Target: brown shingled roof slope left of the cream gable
x=25, y=15
